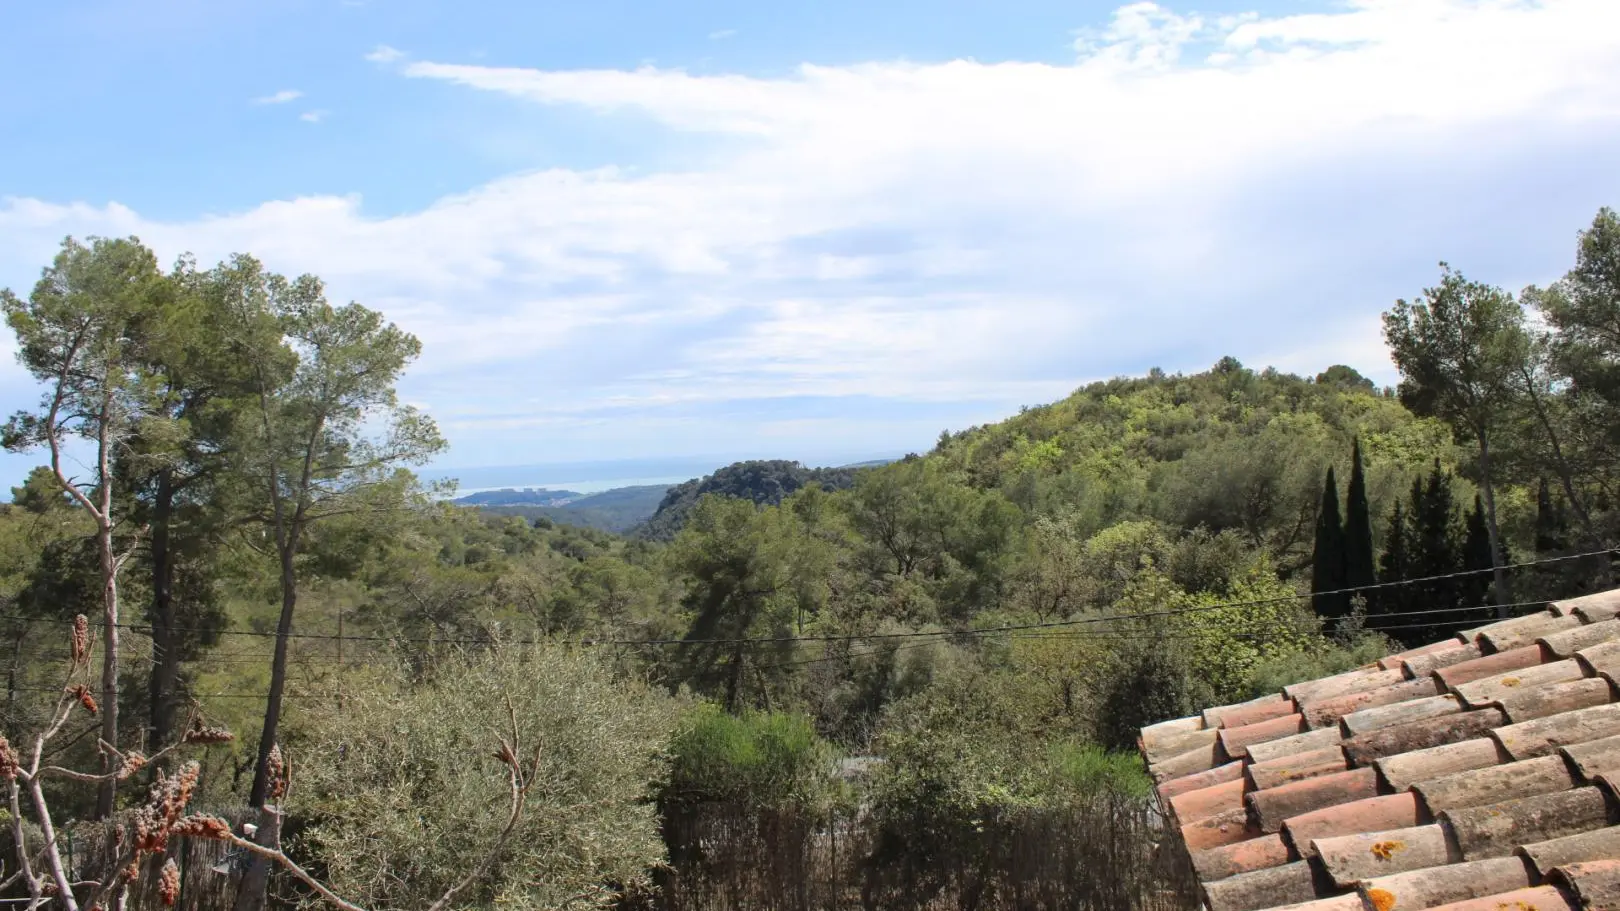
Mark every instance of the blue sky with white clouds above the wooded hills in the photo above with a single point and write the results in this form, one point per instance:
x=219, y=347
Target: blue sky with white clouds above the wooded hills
x=817, y=229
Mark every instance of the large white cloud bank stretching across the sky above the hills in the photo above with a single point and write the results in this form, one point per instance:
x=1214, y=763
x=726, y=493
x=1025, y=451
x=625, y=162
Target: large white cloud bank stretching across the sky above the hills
x=963, y=233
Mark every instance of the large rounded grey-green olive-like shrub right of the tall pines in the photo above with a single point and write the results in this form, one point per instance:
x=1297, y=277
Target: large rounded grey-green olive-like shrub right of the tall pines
x=407, y=795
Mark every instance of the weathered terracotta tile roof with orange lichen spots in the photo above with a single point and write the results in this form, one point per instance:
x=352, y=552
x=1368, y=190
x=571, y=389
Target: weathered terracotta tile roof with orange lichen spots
x=1472, y=776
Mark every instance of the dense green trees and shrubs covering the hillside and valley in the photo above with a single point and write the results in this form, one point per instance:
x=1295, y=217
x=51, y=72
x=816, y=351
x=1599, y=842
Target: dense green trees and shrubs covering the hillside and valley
x=984, y=627
